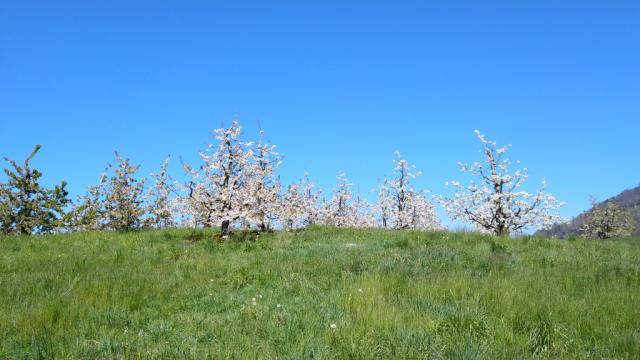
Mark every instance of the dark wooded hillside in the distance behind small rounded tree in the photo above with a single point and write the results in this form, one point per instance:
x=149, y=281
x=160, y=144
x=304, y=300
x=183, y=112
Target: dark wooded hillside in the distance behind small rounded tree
x=628, y=199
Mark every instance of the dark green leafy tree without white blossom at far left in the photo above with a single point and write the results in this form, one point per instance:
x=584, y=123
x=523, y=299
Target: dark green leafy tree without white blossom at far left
x=25, y=206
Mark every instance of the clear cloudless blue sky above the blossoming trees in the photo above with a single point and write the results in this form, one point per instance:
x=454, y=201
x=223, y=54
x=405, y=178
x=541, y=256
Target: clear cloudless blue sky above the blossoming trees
x=336, y=85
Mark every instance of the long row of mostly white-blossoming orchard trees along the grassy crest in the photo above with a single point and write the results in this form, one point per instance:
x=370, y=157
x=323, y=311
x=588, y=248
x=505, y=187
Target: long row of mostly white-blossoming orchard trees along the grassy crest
x=236, y=185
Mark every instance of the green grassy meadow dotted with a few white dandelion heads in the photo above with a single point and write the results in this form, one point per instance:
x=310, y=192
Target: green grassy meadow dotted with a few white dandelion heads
x=178, y=294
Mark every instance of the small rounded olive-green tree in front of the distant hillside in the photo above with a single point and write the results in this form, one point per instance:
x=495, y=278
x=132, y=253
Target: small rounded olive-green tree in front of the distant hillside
x=607, y=221
